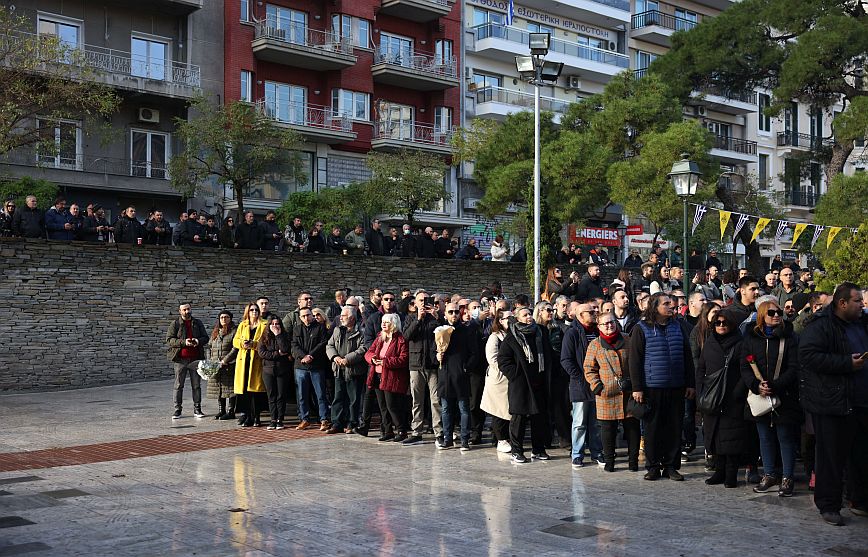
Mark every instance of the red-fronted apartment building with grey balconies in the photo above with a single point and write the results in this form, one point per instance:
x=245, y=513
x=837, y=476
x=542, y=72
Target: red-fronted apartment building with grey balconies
x=350, y=77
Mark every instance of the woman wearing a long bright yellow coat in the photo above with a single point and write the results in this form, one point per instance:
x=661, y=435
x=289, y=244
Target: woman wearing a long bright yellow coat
x=248, y=366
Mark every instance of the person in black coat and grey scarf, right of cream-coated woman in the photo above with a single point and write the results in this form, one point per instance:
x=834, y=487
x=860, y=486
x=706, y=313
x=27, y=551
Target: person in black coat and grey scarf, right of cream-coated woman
x=525, y=358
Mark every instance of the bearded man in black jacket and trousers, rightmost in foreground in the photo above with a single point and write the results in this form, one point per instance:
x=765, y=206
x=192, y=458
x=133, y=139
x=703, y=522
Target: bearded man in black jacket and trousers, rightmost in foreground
x=834, y=389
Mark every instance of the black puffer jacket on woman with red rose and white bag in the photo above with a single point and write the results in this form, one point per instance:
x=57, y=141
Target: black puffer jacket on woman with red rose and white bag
x=765, y=352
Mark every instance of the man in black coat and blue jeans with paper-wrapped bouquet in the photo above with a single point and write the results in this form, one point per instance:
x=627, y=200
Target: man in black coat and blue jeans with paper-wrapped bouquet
x=453, y=380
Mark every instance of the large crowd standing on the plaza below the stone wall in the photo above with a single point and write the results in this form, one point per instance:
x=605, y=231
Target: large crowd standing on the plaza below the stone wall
x=768, y=372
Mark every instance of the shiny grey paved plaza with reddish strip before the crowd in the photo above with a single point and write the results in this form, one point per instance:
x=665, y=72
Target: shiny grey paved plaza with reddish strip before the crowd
x=105, y=471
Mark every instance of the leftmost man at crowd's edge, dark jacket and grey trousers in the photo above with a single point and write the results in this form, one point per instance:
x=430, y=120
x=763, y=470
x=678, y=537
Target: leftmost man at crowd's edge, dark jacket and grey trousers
x=186, y=339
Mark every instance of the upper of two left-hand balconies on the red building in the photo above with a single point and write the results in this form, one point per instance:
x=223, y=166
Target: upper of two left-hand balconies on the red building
x=302, y=47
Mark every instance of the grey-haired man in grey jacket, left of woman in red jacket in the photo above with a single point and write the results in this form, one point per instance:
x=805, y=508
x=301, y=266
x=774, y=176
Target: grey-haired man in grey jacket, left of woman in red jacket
x=346, y=352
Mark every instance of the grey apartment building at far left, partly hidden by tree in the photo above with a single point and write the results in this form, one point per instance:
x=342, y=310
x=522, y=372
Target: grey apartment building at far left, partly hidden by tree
x=157, y=56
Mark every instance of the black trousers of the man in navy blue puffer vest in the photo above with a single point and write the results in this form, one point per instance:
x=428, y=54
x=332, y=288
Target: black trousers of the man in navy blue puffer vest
x=663, y=428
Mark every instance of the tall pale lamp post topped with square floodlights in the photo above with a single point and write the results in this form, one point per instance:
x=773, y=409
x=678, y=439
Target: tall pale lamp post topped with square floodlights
x=537, y=72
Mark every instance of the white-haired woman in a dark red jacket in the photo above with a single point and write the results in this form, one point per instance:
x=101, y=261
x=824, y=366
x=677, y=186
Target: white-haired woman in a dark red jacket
x=389, y=376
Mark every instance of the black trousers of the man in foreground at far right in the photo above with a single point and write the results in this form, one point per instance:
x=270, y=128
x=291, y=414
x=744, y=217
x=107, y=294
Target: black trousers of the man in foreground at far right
x=835, y=435
